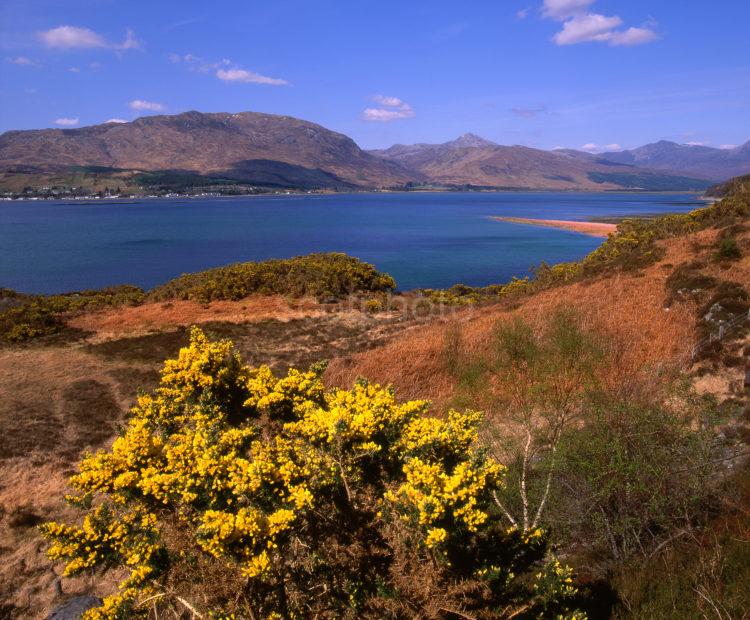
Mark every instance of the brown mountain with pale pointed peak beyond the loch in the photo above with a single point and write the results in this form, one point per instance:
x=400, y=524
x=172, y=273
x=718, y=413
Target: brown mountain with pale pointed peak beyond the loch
x=471, y=160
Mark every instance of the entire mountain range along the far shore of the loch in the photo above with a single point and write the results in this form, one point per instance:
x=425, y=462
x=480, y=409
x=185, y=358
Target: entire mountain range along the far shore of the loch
x=281, y=151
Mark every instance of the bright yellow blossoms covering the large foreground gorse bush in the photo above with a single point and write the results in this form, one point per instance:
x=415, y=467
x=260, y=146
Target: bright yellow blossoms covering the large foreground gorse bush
x=250, y=465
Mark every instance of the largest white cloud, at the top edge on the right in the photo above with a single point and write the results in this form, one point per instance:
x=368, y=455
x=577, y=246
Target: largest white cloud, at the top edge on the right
x=583, y=26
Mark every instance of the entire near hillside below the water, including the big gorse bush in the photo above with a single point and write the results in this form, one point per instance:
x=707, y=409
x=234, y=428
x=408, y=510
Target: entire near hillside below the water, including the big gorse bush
x=631, y=444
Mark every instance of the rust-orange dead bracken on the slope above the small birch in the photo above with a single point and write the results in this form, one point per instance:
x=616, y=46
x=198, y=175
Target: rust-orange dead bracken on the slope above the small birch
x=630, y=307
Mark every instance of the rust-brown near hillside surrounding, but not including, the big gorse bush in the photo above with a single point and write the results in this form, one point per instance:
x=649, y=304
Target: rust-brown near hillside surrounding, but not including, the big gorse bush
x=642, y=297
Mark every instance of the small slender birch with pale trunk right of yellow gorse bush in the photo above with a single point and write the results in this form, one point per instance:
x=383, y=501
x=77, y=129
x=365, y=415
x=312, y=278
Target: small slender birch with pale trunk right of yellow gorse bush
x=536, y=383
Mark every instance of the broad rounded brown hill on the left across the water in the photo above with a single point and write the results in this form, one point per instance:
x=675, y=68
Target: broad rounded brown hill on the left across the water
x=250, y=147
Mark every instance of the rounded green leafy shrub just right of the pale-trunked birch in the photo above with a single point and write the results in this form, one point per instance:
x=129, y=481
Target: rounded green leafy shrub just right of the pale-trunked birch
x=631, y=477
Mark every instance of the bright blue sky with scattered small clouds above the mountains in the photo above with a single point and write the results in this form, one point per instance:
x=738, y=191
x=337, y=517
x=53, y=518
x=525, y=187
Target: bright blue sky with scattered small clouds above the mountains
x=544, y=73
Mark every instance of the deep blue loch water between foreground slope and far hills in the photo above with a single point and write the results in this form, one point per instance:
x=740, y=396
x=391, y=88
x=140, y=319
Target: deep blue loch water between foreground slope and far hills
x=423, y=239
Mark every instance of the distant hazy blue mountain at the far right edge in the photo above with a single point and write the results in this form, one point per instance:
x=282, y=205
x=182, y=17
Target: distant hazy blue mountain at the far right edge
x=695, y=160
